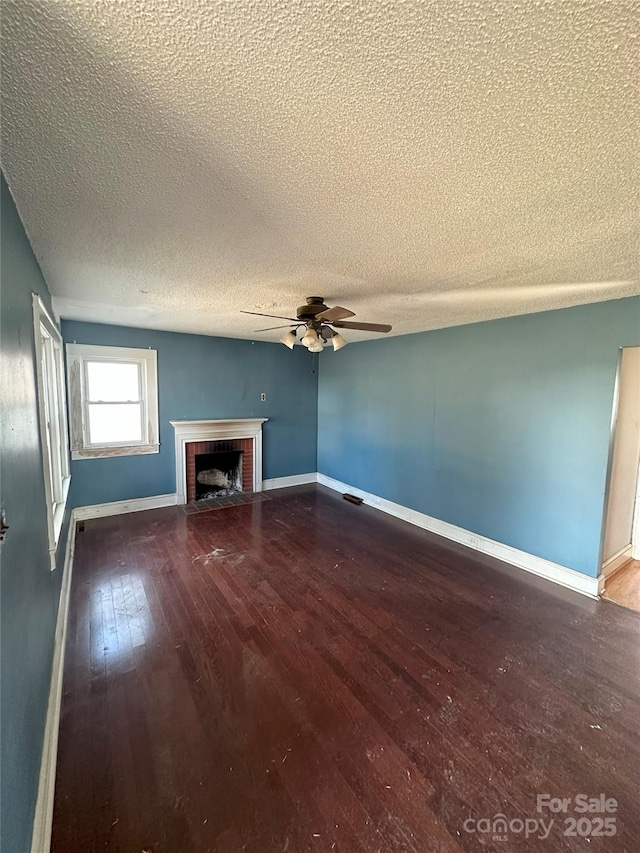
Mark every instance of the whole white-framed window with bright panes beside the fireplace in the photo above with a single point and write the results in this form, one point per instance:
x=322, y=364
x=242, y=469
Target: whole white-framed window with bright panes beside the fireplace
x=113, y=401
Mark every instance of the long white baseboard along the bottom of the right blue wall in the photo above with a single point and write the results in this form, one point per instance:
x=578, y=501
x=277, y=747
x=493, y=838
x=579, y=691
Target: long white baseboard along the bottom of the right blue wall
x=521, y=559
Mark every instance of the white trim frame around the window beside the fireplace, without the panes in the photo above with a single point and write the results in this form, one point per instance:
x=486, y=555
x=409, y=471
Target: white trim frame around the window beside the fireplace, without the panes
x=77, y=356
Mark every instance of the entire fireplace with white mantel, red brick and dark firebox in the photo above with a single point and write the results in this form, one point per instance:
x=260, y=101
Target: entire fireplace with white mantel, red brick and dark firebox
x=217, y=456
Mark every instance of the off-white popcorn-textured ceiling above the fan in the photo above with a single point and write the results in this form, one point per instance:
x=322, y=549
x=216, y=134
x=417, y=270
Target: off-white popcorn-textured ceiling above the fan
x=422, y=163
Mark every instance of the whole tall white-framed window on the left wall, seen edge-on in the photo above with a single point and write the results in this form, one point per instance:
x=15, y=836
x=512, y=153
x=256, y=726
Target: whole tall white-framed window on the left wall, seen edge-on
x=53, y=420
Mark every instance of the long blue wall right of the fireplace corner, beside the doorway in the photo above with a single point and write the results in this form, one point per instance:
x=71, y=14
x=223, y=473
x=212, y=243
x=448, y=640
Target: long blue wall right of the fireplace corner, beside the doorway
x=501, y=428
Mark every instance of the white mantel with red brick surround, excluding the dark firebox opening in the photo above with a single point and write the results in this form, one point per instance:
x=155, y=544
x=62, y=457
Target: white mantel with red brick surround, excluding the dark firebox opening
x=196, y=437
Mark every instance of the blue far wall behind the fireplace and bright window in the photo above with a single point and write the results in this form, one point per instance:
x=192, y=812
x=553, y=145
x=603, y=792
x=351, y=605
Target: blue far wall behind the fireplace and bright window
x=202, y=378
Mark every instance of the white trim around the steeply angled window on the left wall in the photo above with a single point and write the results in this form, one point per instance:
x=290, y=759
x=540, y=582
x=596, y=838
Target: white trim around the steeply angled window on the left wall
x=42, y=320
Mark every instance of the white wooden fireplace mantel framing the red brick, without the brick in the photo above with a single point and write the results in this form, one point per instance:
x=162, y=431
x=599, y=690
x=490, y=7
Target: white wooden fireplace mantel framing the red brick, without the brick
x=187, y=431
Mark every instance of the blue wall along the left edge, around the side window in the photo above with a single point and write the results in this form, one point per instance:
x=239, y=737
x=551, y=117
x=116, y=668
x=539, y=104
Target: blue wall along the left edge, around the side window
x=29, y=590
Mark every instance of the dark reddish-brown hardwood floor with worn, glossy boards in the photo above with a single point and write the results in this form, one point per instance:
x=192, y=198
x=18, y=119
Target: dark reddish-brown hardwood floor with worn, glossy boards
x=302, y=674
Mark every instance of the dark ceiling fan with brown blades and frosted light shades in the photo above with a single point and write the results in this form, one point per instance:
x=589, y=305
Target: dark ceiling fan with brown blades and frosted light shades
x=318, y=321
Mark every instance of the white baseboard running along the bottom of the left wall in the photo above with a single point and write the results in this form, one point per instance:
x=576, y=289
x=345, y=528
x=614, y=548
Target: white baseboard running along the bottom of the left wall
x=43, y=816
